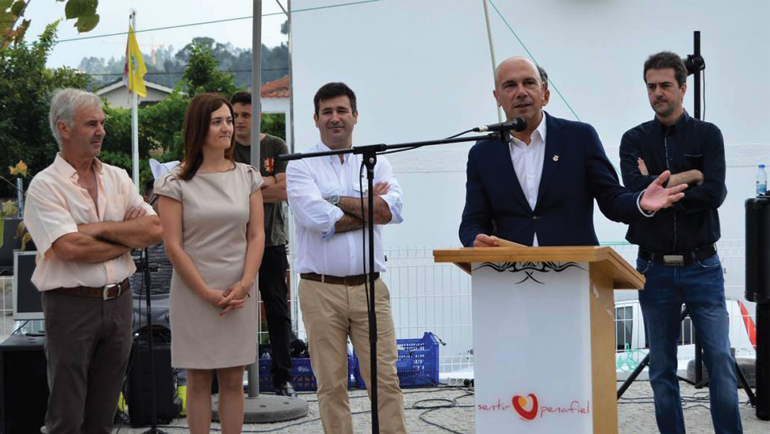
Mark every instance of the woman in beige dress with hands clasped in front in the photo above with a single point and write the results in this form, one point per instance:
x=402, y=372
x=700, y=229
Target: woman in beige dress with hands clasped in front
x=211, y=211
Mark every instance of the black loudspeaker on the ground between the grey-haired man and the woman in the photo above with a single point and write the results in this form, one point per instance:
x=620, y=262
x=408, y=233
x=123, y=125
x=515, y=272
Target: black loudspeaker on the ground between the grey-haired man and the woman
x=139, y=391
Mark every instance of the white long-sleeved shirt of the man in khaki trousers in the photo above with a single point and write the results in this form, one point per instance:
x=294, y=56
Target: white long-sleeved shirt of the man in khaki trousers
x=309, y=182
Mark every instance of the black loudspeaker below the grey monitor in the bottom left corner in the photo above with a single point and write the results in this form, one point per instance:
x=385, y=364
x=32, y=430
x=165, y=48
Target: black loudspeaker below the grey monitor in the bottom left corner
x=24, y=389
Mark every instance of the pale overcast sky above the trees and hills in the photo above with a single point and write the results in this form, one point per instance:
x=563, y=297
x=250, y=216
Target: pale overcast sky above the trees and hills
x=152, y=14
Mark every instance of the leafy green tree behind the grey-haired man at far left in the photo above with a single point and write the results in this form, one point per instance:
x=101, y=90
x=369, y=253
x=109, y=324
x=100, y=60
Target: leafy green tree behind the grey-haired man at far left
x=25, y=91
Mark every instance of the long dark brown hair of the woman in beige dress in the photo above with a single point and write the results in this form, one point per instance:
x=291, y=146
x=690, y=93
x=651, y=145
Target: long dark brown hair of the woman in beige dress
x=197, y=122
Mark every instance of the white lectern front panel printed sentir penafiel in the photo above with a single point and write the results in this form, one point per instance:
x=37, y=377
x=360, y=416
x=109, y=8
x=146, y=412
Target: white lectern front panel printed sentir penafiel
x=532, y=347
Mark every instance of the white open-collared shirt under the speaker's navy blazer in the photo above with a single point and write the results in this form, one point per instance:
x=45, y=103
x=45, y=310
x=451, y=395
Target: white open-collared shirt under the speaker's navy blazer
x=528, y=164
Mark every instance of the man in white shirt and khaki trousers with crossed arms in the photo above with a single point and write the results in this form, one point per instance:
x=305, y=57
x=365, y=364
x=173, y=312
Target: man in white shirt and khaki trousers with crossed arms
x=325, y=195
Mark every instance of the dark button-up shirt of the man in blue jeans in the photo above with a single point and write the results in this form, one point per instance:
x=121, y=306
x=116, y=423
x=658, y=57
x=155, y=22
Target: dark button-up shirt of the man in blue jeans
x=694, y=153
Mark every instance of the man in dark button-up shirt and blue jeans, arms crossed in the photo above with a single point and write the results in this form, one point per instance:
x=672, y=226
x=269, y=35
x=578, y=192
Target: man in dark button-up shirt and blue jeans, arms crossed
x=676, y=245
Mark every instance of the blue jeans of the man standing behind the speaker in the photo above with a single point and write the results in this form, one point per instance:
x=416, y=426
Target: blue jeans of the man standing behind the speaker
x=700, y=286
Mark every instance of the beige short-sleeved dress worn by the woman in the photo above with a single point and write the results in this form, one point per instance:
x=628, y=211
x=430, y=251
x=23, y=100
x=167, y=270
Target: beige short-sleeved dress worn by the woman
x=215, y=214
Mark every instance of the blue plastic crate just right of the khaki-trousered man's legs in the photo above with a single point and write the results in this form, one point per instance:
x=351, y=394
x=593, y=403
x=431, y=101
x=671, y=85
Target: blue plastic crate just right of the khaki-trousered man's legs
x=417, y=363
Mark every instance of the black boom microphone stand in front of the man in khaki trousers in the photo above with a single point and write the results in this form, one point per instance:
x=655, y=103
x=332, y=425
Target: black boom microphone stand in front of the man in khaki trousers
x=369, y=154
